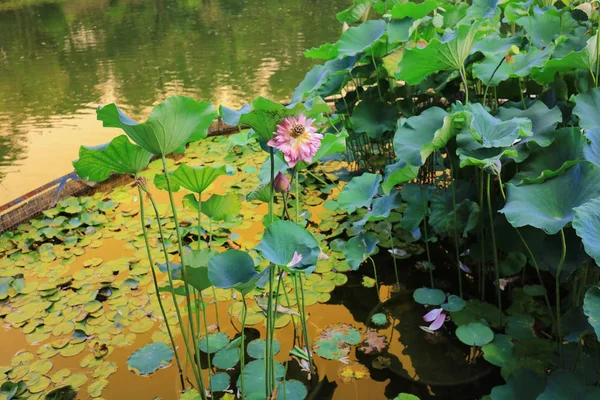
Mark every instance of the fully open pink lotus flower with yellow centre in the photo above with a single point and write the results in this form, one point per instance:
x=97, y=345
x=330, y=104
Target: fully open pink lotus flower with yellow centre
x=297, y=139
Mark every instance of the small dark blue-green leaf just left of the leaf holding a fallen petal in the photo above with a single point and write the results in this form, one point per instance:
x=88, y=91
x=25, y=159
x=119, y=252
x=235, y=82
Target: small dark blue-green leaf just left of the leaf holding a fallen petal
x=233, y=269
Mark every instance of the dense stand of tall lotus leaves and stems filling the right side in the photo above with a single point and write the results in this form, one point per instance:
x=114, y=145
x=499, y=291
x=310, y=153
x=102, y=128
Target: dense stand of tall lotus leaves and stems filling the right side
x=493, y=110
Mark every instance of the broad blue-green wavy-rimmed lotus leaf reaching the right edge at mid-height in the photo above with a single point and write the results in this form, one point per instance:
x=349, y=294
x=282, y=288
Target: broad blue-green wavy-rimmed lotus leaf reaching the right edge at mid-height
x=549, y=205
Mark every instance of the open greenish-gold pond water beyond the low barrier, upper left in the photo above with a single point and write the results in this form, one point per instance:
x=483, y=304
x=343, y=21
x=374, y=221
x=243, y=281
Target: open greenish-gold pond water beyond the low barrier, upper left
x=60, y=59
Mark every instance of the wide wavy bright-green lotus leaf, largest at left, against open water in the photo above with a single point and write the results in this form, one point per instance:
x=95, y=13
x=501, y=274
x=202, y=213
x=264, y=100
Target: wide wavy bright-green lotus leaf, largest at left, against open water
x=173, y=123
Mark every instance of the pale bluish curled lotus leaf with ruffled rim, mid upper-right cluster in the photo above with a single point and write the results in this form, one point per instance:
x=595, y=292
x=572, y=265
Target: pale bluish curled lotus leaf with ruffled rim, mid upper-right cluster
x=490, y=131
